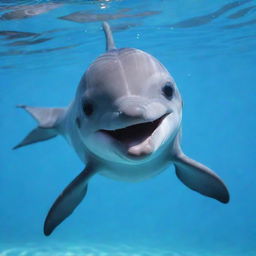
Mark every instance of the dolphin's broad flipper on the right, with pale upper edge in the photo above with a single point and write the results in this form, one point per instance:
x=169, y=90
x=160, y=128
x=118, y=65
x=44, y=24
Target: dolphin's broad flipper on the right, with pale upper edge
x=200, y=178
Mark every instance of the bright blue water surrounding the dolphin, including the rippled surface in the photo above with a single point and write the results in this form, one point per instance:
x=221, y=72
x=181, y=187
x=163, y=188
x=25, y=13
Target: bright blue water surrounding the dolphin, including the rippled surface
x=209, y=48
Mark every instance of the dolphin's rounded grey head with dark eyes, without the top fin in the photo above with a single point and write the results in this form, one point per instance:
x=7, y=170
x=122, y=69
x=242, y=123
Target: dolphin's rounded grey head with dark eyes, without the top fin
x=128, y=106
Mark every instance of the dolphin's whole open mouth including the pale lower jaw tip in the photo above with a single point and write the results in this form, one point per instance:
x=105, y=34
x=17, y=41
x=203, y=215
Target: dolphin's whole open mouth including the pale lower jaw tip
x=135, y=139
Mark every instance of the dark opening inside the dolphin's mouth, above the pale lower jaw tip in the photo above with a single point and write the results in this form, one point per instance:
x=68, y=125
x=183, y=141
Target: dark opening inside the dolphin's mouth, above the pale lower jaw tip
x=134, y=134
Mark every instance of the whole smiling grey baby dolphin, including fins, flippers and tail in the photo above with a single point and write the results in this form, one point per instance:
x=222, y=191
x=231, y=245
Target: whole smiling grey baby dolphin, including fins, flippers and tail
x=124, y=123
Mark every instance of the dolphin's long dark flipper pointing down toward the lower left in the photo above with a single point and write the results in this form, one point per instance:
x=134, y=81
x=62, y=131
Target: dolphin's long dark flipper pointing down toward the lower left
x=69, y=199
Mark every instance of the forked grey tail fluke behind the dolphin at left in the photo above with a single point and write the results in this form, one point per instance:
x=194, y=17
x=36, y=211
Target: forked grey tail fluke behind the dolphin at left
x=48, y=123
